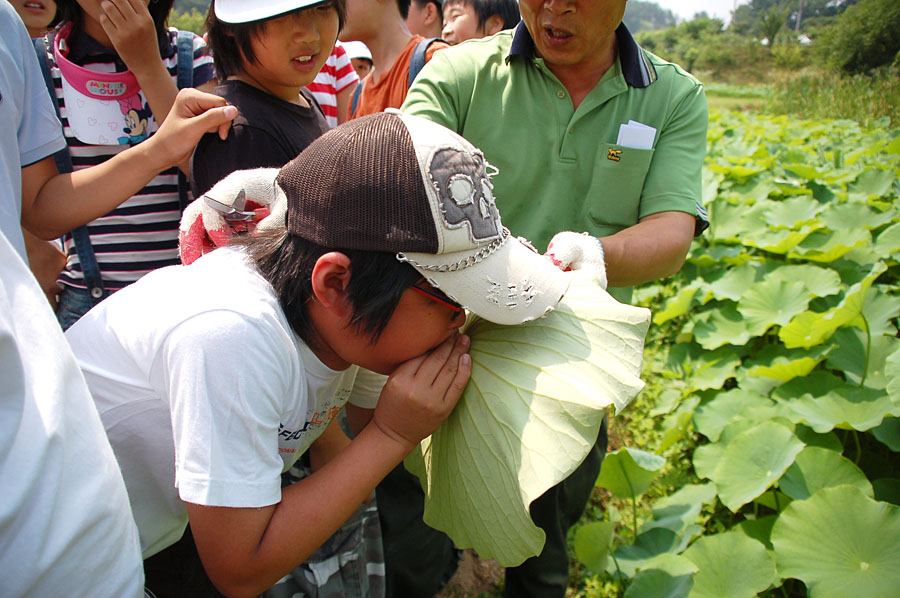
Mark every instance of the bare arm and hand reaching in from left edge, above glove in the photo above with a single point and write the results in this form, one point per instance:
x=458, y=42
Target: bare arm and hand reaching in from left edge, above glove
x=53, y=203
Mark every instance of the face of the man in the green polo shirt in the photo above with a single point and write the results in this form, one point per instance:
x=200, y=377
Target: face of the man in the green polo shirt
x=573, y=34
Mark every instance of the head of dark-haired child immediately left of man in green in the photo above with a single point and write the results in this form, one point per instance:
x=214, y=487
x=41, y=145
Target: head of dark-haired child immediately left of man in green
x=469, y=19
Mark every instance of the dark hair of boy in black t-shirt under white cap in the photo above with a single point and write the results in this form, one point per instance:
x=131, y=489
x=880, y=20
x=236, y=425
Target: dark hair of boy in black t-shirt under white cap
x=231, y=43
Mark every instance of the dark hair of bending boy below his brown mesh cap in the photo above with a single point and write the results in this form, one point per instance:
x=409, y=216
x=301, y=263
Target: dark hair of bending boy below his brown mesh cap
x=377, y=280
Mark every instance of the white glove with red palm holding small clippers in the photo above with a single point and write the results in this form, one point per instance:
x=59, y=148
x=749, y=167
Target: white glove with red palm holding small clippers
x=234, y=205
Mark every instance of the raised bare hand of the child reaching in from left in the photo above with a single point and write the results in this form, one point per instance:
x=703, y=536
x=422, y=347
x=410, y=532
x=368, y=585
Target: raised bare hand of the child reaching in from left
x=193, y=114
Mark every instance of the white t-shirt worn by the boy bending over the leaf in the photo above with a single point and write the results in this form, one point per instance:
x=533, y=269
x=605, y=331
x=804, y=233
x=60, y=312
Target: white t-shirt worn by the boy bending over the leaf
x=206, y=393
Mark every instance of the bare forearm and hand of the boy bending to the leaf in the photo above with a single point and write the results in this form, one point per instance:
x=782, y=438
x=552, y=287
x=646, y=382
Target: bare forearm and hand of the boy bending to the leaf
x=245, y=551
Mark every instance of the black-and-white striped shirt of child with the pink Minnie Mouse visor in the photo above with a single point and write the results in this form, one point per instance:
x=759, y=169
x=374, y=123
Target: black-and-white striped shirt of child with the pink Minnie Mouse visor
x=141, y=234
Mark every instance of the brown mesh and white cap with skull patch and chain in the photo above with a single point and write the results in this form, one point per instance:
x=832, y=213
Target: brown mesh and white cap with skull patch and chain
x=403, y=184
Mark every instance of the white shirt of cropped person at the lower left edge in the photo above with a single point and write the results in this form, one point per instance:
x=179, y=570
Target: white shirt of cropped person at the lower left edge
x=65, y=524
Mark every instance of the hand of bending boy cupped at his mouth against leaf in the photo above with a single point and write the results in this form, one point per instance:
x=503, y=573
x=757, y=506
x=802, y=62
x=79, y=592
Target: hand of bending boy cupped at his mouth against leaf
x=422, y=392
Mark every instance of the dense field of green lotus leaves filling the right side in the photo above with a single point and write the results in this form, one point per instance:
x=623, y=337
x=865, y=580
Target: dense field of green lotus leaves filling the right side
x=773, y=375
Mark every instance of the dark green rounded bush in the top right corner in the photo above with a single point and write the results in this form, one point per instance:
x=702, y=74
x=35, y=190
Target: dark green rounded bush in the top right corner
x=865, y=37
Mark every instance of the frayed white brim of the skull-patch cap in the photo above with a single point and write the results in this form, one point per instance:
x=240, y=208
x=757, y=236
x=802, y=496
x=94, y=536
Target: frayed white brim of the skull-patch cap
x=512, y=285
